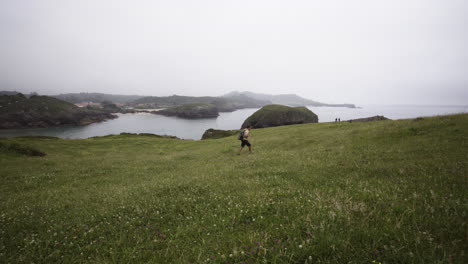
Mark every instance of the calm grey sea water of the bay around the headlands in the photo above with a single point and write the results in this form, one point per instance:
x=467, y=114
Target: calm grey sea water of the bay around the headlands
x=193, y=129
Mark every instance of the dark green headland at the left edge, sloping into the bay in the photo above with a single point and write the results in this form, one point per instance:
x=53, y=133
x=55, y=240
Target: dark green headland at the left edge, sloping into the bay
x=19, y=111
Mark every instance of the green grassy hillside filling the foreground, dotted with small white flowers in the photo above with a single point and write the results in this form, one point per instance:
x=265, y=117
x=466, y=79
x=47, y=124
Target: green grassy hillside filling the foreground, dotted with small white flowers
x=378, y=192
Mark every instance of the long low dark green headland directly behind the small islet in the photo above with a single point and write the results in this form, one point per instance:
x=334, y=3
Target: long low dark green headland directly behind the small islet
x=222, y=104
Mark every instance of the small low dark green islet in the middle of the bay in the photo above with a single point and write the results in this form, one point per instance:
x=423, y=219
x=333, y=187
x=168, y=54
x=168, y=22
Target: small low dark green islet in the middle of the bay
x=191, y=111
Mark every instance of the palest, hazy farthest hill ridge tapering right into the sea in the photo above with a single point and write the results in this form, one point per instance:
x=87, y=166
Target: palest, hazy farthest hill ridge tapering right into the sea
x=284, y=99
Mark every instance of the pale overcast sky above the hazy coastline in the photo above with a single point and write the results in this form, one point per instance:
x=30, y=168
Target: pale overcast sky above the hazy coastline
x=334, y=51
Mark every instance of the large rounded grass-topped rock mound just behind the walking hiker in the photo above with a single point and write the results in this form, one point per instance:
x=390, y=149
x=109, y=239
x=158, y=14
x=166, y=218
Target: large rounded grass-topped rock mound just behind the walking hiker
x=280, y=115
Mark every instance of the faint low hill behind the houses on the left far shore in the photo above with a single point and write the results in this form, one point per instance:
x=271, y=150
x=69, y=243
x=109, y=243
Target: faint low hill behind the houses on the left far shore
x=76, y=98
